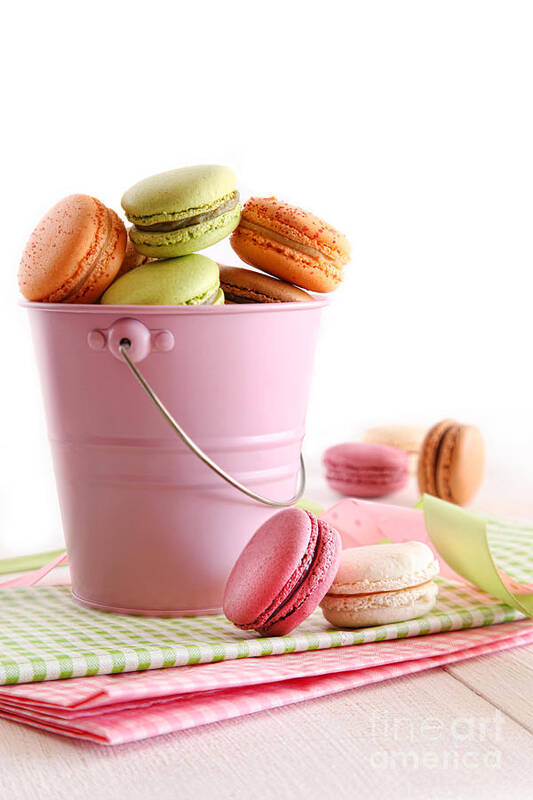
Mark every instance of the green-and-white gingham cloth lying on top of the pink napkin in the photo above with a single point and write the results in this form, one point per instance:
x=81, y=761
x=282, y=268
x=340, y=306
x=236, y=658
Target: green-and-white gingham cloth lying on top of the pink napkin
x=45, y=635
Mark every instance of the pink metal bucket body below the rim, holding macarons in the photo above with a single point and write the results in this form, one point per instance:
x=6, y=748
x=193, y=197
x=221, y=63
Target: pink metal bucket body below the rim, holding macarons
x=149, y=528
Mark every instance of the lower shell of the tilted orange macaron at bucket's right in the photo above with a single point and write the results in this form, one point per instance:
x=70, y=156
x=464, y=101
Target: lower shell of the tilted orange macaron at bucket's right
x=313, y=273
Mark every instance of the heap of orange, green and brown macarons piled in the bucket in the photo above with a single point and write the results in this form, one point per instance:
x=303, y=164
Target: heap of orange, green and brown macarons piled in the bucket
x=81, y=252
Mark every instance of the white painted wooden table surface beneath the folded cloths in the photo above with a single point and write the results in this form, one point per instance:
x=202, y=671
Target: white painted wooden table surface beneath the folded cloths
x=451, y=732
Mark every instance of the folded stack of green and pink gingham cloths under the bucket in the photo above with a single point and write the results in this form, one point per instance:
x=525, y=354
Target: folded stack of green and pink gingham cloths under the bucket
x=44, y=635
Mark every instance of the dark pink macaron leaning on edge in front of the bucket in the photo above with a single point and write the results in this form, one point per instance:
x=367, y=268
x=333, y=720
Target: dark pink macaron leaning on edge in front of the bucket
x=283, y=573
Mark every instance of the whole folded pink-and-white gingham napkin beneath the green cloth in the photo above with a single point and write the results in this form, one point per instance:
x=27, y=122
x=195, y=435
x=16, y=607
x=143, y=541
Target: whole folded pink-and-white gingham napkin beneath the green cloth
x=123, y=708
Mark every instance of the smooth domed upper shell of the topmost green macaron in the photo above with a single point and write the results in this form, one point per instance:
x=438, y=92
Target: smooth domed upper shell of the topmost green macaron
x=177, y=194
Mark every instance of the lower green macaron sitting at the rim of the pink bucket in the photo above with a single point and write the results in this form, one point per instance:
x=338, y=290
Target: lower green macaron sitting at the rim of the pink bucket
x=190, y=280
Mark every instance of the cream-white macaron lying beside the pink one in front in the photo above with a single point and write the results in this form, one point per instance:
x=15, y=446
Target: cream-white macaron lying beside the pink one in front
x=382, y=583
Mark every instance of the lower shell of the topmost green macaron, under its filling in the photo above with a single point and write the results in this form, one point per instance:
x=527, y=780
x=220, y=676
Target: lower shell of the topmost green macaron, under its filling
x=170, y=244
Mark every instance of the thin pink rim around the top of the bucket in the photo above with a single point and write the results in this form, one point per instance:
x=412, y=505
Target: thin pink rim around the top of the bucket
x=242, y=308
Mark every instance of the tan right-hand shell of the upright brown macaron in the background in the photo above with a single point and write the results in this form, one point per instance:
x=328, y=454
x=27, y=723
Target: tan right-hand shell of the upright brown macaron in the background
x=460, y=464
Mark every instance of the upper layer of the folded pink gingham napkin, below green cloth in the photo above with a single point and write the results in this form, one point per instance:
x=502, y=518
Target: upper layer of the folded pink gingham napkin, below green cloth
x=80, y=694
